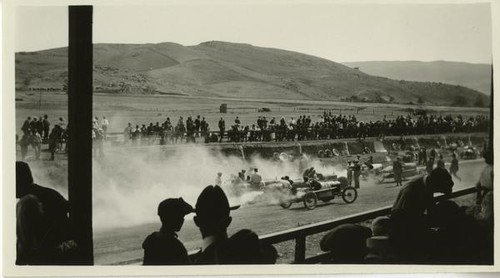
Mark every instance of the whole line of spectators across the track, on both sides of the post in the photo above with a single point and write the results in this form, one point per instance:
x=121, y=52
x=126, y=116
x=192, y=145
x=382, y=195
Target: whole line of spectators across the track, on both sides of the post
x=35, y=131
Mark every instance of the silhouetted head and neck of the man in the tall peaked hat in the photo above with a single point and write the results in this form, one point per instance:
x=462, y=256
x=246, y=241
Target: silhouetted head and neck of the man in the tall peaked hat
x=212, y=211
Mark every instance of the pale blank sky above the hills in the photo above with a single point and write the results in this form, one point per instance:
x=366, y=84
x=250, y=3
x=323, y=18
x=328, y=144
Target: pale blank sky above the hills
x=342, y=33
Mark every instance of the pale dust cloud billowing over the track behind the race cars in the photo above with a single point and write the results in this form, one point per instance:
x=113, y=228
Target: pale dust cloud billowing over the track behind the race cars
x=130, y=182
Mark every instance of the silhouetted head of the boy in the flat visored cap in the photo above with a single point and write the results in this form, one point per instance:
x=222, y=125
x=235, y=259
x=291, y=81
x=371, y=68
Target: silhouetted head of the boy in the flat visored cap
x=172, y=211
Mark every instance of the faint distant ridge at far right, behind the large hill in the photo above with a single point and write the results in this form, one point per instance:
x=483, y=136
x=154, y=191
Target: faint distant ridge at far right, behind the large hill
x=474, y=76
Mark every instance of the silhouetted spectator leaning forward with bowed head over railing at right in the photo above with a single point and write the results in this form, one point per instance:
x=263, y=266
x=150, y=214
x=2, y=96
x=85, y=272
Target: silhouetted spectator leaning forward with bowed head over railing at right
x=408, y=215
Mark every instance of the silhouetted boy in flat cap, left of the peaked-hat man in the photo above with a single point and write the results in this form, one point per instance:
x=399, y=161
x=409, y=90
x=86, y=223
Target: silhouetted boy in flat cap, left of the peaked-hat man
x=163, y=247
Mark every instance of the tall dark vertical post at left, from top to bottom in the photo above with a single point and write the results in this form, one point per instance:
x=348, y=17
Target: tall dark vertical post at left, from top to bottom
x=80, y=128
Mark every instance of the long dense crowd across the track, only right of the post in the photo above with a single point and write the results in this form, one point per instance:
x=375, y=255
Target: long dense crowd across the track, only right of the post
x=327, y=126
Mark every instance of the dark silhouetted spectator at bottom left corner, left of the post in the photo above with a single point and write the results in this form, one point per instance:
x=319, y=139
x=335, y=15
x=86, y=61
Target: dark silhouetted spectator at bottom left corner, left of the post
x=44, y=233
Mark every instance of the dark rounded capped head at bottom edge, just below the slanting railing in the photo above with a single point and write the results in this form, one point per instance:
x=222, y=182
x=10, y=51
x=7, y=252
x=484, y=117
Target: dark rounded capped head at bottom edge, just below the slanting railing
x=347, y=243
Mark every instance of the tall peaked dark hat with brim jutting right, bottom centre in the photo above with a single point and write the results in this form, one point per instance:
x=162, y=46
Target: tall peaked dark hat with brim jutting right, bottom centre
x=212, y=204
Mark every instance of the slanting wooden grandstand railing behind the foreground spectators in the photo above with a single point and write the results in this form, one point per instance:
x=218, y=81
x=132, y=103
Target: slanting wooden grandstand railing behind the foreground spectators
x=300, y=234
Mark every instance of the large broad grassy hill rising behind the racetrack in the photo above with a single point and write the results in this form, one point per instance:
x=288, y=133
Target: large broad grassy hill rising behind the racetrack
x=221, y=69
